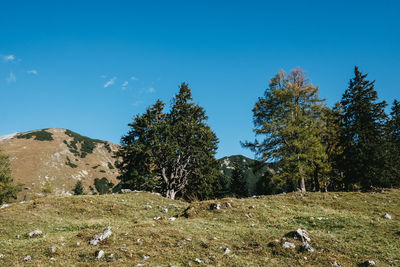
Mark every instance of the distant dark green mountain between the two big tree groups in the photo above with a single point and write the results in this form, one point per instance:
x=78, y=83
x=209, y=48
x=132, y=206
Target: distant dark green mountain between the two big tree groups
x=253, y=170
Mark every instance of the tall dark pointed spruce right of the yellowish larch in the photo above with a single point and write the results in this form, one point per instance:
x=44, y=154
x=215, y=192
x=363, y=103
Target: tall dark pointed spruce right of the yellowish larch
x=361, y=133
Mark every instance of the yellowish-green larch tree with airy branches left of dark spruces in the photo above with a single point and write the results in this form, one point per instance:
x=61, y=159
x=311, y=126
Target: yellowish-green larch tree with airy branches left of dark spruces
x=289, y=119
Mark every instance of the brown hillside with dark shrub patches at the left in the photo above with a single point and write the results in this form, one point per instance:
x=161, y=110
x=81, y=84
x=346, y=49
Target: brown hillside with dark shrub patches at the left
x=57, y=158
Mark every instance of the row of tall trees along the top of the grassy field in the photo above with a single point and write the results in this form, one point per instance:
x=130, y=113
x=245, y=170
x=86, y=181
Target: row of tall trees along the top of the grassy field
x=312, y=147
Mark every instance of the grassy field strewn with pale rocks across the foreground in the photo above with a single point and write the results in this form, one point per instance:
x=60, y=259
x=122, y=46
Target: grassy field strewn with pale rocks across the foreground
x=348, y=228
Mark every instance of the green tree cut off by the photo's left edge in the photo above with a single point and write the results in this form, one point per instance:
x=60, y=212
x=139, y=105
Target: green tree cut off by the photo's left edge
x=7, y=189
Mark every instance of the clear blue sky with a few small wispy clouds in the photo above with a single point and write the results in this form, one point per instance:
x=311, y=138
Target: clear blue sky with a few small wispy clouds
x=90, y=66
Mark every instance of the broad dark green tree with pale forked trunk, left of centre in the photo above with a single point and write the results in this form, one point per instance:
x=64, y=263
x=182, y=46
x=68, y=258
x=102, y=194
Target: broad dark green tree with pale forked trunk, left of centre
x=171, y=152
